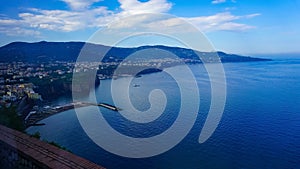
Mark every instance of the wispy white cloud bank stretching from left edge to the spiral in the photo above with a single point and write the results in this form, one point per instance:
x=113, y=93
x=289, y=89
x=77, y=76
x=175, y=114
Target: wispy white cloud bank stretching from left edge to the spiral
x=30, y=23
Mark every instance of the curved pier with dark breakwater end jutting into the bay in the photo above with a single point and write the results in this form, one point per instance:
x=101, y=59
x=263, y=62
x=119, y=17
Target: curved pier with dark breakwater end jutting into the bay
x=34, y=118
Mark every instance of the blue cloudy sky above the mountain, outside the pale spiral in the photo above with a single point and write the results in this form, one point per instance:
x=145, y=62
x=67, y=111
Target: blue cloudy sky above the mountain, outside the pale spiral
x=233, y=26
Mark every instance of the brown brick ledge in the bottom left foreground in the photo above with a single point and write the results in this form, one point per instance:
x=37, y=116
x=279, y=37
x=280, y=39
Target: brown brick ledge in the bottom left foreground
x=18, y=150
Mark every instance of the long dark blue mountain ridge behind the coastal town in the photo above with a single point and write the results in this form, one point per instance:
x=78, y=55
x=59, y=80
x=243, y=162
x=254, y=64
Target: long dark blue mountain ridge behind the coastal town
x=68, y=51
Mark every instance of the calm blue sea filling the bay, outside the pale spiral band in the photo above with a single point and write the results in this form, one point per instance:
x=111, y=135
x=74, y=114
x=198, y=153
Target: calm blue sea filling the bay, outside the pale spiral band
x=260, y=127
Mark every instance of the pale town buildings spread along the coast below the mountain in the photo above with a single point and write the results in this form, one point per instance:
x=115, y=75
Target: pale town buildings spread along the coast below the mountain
x=17, y=78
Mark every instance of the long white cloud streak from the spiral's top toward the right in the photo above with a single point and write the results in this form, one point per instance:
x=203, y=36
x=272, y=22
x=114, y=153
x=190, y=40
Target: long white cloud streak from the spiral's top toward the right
x=166, y=23
